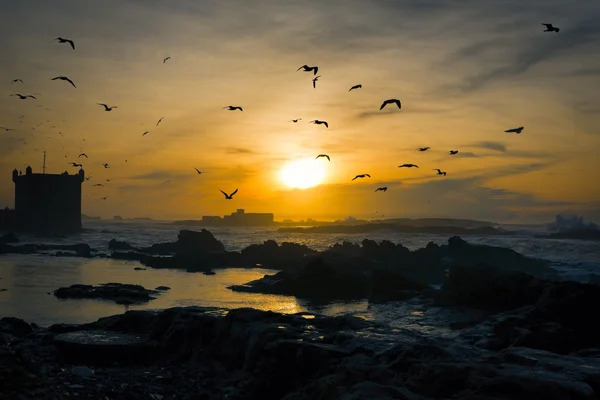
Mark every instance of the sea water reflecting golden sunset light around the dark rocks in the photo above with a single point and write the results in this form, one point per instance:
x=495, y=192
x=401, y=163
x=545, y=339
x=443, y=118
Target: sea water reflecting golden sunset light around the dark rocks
x=30, y=279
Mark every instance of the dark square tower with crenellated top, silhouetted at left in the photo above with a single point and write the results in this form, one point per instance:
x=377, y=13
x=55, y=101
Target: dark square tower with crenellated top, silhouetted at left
x=48, y=202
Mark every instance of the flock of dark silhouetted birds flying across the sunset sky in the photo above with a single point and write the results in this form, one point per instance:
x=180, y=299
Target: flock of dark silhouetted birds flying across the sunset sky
x=304, y=68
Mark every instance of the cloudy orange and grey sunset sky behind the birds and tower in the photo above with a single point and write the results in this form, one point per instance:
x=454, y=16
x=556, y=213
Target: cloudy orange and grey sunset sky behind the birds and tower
x=464, y=71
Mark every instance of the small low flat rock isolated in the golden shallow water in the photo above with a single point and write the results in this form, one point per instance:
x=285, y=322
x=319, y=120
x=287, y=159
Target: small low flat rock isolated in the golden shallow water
x=119, y=292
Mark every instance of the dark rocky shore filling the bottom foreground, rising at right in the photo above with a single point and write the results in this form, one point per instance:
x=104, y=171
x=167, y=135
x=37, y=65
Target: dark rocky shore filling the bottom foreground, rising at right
x=536, y=342
